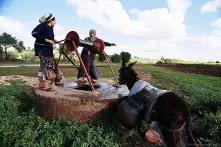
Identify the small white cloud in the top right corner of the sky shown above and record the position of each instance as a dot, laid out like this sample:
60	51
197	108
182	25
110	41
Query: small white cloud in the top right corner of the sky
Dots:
211	6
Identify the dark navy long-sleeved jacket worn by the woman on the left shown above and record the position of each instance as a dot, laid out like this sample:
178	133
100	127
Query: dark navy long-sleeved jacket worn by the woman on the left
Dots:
42	32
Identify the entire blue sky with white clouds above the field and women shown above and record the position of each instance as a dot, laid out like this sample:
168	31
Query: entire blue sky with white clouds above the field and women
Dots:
182	29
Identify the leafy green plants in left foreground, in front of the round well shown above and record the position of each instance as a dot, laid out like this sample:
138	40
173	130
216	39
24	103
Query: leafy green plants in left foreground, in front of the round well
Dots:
20	125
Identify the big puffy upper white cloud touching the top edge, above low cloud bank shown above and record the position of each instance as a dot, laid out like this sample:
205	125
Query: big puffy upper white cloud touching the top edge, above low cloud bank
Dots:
159	23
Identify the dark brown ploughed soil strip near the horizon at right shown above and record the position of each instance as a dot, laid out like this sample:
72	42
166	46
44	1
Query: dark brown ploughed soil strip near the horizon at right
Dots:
198	69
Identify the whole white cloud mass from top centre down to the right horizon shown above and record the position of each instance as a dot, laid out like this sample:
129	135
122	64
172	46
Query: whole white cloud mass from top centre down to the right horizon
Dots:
150	33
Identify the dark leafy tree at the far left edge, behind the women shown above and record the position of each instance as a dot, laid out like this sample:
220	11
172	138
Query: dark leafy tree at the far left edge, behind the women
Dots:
7	41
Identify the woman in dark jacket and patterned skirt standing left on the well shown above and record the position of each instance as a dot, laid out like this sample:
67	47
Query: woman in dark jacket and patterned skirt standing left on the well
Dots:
44	35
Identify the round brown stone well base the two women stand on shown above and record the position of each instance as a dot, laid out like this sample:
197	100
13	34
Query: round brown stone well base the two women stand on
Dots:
81	105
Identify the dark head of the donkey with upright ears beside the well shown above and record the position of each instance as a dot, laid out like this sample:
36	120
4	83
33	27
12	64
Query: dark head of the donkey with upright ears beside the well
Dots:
127	75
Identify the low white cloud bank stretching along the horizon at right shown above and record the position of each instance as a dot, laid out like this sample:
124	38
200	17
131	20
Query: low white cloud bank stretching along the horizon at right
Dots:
192	47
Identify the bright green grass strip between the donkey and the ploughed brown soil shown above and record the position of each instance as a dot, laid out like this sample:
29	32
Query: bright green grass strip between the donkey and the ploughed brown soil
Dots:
194	87
